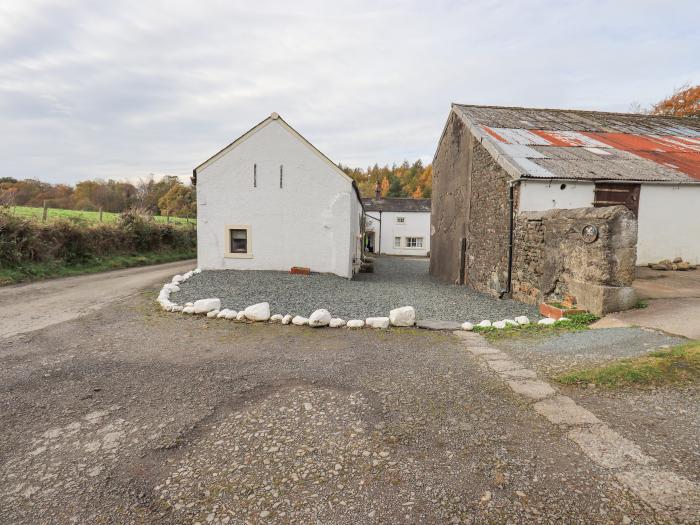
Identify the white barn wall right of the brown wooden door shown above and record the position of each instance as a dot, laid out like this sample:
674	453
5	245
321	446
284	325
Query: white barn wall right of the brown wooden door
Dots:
669	223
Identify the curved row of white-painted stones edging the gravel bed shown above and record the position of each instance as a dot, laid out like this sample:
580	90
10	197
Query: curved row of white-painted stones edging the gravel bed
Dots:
404	316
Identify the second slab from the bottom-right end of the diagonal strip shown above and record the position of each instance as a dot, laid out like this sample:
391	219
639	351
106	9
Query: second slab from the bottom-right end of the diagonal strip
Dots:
608	448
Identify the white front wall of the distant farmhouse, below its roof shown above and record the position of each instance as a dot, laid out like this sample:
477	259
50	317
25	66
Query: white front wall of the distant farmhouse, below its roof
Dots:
416	224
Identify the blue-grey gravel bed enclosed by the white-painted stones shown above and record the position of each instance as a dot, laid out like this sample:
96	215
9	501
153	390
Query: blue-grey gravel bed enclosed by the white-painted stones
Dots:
396	282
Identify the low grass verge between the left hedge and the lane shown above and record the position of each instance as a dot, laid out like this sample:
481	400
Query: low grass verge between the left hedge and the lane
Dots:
39	271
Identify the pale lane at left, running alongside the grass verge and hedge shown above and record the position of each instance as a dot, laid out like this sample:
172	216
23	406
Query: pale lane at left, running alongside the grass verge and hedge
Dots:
29	307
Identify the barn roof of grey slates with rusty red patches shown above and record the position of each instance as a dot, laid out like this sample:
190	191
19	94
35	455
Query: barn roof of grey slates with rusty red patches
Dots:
587	145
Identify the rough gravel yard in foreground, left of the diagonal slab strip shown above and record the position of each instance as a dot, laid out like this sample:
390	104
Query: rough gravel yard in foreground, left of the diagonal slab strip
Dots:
132	415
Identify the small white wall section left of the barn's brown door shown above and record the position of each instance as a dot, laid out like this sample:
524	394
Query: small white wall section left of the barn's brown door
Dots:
547	195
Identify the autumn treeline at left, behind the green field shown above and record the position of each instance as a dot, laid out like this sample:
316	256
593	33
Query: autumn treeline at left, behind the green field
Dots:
167	195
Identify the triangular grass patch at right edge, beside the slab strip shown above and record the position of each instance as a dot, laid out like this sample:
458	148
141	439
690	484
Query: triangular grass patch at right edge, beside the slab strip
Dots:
680	364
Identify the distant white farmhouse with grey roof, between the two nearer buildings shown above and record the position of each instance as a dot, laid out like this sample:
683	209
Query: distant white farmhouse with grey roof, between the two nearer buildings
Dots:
397	226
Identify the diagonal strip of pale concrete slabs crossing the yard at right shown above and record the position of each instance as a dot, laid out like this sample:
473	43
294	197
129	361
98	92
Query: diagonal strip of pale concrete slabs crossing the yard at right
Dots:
666	492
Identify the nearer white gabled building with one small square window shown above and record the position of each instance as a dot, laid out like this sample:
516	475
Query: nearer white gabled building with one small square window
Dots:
271	201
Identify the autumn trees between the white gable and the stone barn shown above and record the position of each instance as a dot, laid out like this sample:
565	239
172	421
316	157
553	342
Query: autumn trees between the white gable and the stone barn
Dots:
405	180
